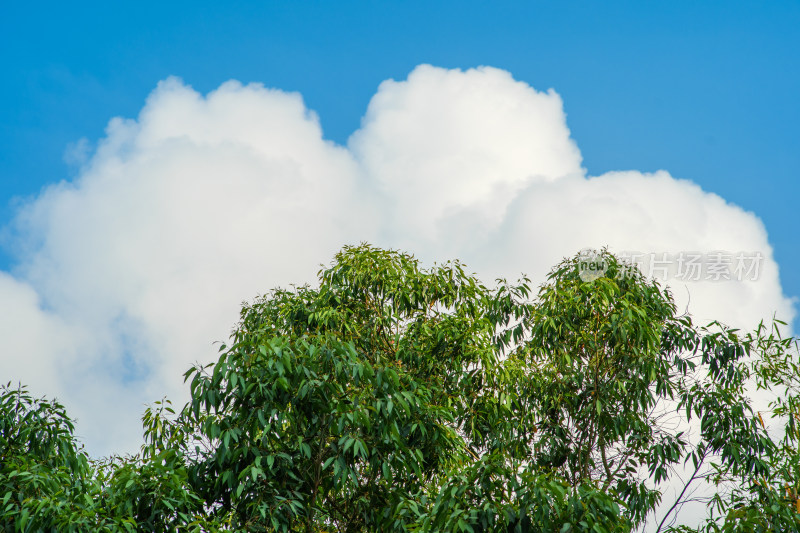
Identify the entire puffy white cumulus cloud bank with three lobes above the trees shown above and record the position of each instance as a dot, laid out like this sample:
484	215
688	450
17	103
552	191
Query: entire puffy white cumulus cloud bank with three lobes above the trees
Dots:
128	273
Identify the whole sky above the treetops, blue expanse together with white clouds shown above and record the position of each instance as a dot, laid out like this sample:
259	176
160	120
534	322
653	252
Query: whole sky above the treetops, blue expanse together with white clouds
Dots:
707	91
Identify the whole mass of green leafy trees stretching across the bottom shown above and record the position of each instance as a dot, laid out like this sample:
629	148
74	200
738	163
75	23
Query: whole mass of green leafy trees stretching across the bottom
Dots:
398	398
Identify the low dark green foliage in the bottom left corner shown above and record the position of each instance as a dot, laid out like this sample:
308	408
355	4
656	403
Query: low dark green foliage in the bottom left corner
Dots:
47	483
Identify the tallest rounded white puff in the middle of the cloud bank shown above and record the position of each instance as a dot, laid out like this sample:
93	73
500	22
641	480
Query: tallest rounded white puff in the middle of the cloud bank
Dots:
448	149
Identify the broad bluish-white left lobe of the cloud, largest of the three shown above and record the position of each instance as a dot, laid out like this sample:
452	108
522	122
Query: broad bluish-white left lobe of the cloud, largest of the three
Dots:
179	216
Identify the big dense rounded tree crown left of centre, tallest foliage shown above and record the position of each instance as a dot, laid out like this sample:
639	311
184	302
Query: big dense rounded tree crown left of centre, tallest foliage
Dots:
335	408
